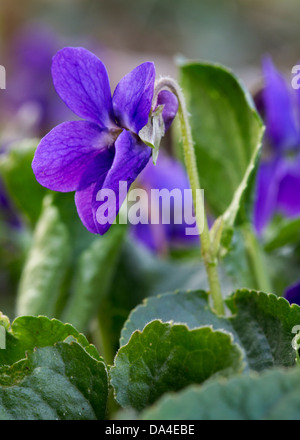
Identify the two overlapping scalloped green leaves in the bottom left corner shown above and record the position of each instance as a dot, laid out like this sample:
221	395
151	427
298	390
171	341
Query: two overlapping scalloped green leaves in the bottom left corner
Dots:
49	371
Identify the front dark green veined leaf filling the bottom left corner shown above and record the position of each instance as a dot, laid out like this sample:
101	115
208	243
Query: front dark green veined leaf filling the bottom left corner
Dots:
52	383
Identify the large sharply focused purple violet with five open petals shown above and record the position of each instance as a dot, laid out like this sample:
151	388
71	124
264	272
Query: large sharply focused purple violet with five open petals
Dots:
96	153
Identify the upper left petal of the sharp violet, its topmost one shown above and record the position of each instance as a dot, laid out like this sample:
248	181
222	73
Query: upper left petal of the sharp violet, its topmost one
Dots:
81	80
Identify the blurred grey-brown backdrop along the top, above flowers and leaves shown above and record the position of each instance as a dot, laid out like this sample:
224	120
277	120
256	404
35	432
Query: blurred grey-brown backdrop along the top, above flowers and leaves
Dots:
236	32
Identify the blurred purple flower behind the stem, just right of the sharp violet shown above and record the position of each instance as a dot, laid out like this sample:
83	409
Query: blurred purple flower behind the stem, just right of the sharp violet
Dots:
167	174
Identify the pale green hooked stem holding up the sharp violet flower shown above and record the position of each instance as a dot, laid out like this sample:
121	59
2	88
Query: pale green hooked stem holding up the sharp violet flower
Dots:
210	260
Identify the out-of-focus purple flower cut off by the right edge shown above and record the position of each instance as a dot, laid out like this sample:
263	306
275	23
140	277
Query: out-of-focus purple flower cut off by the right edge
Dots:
278	180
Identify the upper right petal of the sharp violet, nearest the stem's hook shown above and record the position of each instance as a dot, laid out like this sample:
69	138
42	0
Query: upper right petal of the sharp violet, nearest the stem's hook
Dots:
132	98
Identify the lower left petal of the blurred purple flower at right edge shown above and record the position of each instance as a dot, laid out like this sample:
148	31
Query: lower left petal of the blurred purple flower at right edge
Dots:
266	193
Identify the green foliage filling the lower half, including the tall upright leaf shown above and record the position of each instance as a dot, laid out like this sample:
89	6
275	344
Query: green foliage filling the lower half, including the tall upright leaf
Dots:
176	355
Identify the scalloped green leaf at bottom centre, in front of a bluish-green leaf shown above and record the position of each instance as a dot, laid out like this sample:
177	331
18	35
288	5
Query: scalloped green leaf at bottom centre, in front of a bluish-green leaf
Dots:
166	357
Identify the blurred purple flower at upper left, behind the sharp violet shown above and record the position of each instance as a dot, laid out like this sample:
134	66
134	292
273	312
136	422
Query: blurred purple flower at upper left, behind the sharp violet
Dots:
30	98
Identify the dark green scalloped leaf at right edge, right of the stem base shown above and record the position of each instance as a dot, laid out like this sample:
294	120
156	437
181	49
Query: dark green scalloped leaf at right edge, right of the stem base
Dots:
264	324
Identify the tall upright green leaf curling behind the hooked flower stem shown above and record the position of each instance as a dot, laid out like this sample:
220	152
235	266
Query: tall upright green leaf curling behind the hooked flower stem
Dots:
228	133
